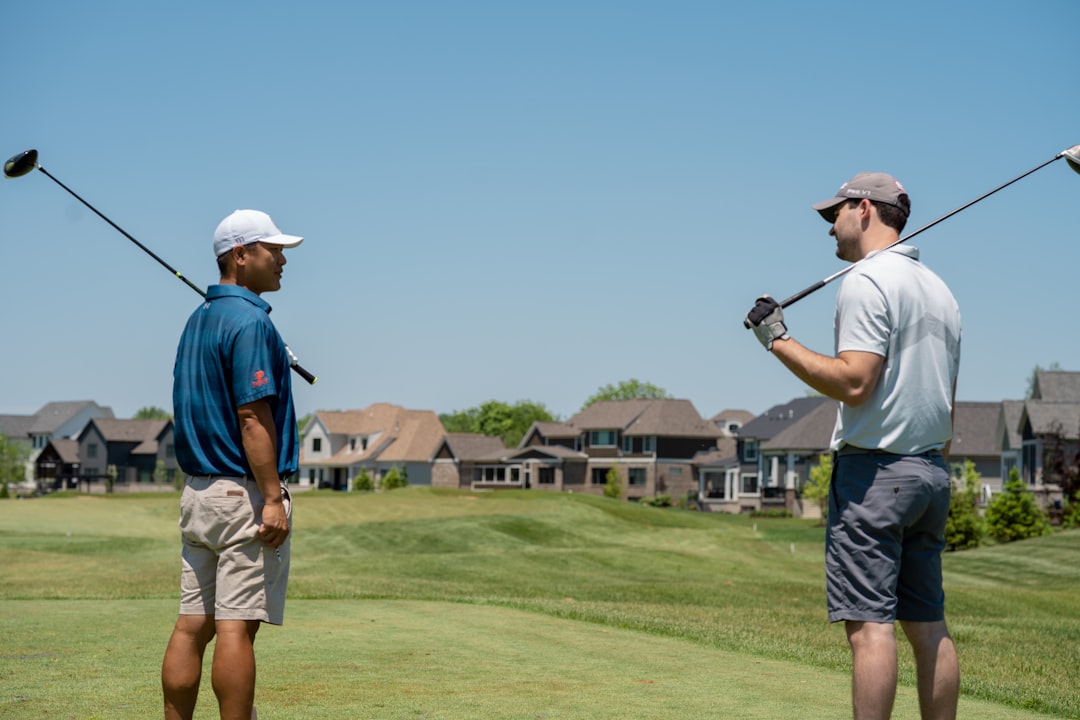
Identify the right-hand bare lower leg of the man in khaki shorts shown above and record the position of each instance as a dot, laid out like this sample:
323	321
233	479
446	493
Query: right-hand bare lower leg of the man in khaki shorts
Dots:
234	669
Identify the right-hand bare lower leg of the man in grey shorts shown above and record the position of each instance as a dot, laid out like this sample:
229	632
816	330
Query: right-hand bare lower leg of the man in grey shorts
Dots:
938	668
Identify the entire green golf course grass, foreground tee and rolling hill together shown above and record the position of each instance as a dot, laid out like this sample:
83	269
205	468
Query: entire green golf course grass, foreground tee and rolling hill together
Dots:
423	604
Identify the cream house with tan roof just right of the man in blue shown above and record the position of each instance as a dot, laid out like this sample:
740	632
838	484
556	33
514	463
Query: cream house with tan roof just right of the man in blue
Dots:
339	445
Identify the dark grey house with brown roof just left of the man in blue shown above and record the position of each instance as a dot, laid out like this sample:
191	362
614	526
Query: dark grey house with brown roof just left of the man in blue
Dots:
127	452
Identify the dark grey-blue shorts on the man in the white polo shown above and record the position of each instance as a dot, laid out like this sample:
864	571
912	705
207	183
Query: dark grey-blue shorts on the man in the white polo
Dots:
887	518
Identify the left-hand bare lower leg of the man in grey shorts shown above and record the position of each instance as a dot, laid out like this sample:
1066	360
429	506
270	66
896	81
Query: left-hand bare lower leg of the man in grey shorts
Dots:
874	670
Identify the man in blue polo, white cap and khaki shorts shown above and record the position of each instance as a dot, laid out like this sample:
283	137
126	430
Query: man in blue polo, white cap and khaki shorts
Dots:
237	441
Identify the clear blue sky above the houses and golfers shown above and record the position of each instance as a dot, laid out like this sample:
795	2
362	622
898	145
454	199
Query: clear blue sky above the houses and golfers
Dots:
525	201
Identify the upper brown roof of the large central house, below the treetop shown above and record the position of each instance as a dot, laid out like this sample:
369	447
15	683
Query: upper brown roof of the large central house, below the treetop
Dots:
664	418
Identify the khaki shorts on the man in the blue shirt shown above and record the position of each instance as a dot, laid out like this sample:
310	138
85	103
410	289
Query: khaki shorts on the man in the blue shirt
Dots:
228	572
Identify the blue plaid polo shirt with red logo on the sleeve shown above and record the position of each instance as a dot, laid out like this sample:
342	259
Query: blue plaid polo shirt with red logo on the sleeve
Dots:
231	355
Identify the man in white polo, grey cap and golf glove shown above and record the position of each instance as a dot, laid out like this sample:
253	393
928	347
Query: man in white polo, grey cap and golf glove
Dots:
898	355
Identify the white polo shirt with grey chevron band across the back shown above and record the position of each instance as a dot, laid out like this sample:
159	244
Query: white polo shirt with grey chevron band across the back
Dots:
894	306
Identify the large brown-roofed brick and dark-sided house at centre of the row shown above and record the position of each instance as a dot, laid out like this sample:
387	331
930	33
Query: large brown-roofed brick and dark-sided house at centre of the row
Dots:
652	444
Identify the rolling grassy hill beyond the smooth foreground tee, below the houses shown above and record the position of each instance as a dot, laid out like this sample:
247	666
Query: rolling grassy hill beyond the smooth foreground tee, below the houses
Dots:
749	587
